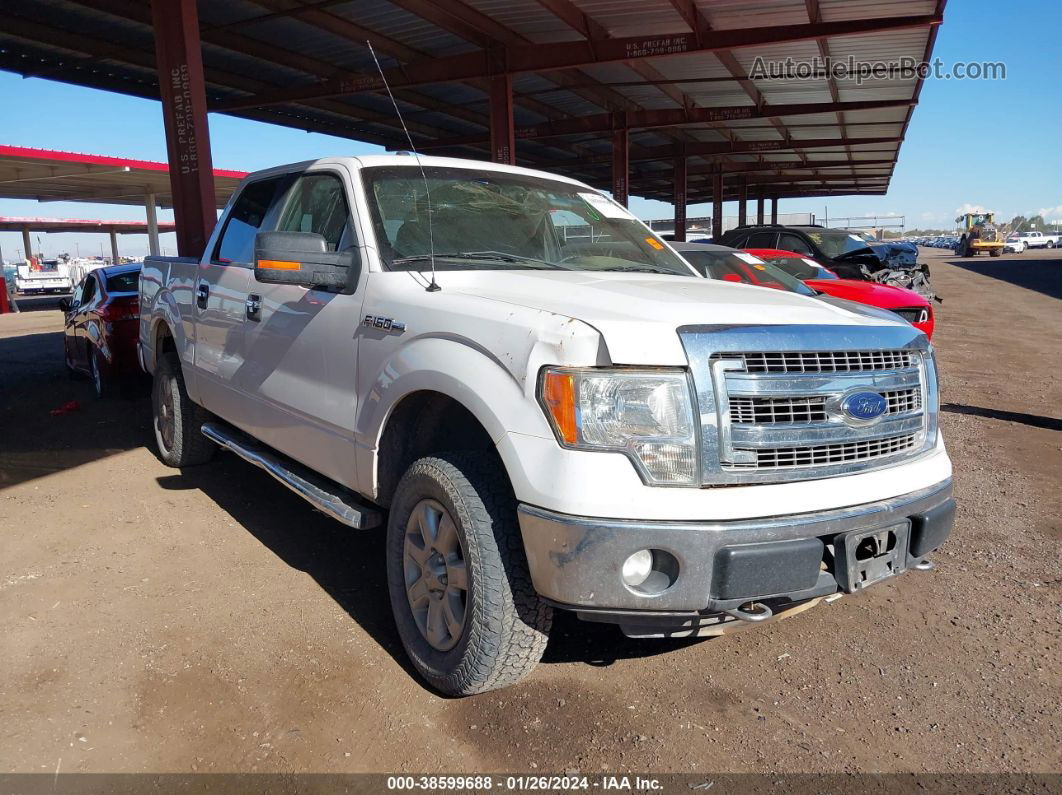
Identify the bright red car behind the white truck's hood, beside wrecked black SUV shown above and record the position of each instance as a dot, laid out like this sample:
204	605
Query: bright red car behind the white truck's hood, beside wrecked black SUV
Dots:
914	308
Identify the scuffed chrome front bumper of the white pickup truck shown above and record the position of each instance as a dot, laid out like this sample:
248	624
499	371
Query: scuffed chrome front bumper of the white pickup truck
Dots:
576	562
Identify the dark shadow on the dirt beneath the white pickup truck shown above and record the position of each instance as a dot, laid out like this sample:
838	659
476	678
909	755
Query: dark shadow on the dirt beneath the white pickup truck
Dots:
349	565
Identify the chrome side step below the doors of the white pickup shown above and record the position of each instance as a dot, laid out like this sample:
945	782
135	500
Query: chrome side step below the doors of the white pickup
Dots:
326	496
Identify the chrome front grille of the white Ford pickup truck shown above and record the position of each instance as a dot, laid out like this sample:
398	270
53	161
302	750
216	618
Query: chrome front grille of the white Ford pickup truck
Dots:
773	400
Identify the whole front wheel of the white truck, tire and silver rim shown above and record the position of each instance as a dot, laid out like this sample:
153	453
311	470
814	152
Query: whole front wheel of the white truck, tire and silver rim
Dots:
461	595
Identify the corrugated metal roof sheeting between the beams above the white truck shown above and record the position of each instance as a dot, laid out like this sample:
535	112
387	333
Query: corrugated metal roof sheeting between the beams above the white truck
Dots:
252	48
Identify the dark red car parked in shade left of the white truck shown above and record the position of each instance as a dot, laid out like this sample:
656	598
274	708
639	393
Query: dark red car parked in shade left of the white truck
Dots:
102	323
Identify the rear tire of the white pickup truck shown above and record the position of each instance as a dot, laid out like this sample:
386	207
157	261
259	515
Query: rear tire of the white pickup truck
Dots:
189	446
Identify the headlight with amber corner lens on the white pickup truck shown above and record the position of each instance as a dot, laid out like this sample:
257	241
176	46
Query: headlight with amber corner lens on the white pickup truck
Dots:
646	414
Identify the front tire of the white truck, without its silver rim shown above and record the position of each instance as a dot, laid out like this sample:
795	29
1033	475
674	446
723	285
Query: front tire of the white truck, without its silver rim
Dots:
506	624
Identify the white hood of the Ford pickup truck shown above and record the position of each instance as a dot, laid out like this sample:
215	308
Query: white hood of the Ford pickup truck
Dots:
638	315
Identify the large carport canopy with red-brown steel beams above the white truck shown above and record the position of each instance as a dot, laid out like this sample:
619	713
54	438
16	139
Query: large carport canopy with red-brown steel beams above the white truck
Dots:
647	97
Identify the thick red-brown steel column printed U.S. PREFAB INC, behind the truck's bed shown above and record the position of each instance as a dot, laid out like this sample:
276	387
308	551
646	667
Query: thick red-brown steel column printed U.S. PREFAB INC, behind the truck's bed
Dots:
180	64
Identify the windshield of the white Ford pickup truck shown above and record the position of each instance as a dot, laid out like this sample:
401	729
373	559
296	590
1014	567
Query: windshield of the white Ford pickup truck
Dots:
493	220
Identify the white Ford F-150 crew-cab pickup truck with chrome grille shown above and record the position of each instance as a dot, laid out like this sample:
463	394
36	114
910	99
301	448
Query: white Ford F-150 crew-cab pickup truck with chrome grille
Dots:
543	422
